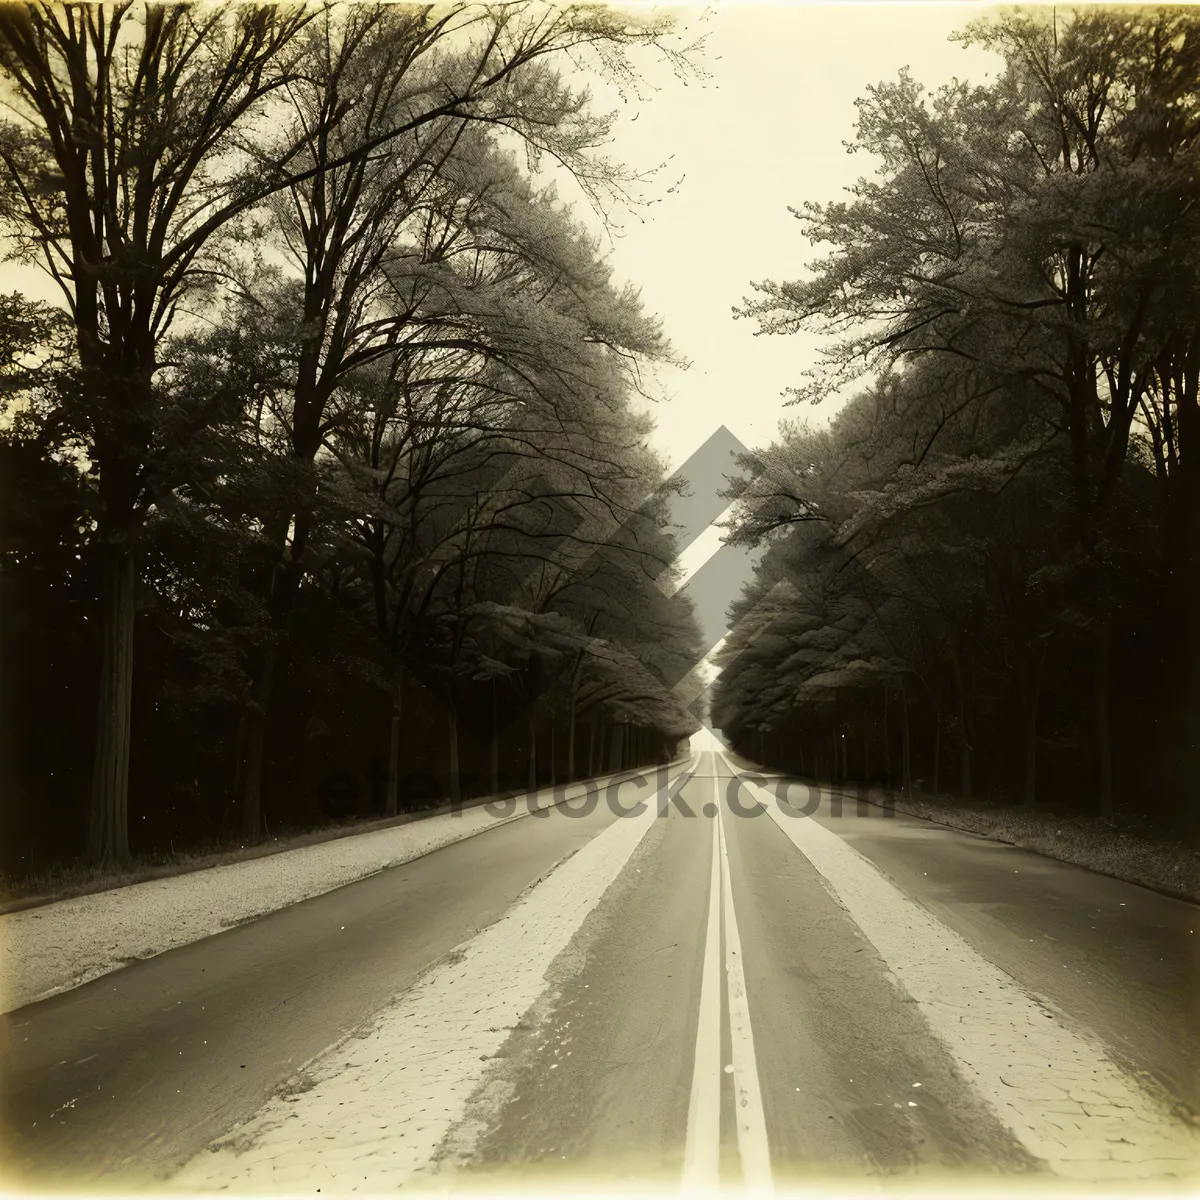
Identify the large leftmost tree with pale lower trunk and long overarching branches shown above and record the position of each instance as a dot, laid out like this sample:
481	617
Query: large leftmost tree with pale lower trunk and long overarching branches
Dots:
140	136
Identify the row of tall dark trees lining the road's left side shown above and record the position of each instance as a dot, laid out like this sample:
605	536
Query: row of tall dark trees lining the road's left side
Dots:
331	458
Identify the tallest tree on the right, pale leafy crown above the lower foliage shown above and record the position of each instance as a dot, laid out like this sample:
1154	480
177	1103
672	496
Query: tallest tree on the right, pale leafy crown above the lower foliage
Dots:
1039	237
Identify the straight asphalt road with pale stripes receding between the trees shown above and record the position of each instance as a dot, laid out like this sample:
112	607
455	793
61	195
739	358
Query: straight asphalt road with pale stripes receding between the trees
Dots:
716	991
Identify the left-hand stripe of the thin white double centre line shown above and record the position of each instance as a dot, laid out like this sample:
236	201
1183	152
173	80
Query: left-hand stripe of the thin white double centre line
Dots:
701	1160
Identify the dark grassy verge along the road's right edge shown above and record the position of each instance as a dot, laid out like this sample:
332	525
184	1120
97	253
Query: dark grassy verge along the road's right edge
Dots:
1125	848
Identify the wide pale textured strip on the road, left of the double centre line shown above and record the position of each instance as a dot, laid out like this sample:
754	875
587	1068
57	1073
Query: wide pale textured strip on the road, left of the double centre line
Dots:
382	1101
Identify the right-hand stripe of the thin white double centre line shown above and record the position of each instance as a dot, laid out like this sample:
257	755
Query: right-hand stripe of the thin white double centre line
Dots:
752	1125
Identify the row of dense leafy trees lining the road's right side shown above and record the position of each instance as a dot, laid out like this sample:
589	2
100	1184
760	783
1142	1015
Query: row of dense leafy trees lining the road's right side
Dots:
983	574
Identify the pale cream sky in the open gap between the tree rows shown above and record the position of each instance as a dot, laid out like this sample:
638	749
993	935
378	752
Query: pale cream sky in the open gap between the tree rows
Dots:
765	133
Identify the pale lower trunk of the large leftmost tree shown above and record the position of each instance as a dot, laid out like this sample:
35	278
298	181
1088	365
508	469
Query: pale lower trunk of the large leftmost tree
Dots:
109	832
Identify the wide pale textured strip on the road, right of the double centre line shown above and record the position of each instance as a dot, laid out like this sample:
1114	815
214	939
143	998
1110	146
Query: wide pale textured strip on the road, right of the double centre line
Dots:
1053	1087
